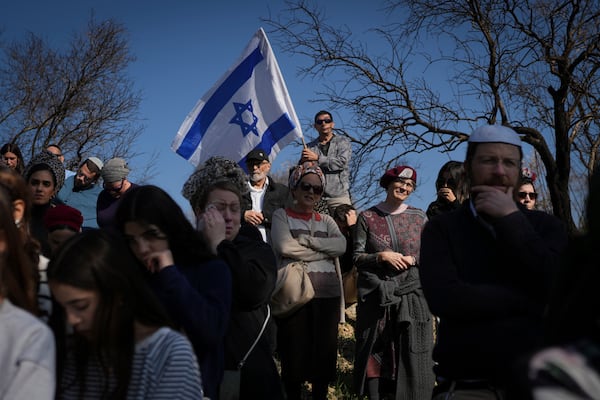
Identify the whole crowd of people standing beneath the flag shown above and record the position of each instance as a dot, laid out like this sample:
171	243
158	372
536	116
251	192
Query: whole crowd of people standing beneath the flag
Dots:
108	290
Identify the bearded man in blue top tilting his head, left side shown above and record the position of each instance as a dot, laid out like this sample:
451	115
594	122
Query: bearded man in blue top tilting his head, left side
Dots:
81	191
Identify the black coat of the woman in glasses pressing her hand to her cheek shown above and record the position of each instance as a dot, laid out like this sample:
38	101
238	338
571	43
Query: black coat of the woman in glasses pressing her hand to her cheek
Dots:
254	272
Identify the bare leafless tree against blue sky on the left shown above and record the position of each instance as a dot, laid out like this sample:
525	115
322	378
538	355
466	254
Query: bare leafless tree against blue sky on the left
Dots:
78	97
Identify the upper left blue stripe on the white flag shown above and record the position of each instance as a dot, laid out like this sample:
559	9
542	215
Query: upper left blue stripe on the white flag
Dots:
217	102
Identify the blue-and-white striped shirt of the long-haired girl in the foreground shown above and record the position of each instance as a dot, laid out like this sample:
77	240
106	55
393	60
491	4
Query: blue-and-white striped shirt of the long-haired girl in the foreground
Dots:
164	367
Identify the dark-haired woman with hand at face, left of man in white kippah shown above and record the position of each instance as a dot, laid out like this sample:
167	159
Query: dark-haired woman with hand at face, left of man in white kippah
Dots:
449	187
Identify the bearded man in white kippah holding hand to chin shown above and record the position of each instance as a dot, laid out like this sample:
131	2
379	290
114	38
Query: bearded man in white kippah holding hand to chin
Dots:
486	271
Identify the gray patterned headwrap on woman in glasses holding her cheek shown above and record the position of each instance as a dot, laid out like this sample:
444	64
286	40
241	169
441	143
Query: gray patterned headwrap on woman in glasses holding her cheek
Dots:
214	170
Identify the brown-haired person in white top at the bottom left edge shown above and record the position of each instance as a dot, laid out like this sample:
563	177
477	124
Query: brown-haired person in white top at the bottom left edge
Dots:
27	347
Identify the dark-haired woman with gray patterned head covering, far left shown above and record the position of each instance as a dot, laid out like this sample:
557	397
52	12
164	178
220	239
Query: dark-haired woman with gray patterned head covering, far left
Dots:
45	176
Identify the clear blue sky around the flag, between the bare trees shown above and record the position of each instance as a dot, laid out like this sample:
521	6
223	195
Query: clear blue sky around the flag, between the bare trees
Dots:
182	49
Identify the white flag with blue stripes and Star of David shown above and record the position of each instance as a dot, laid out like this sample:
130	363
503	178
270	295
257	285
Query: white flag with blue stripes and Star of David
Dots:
248	108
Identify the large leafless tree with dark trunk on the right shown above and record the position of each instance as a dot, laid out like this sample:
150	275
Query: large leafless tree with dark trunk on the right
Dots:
528	64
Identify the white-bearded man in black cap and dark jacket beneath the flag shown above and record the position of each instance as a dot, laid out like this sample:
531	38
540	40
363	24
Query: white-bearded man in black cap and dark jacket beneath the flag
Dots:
265	195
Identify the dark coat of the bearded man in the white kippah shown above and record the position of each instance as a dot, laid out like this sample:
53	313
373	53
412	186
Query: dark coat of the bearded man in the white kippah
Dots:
489	287
